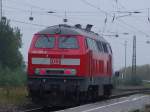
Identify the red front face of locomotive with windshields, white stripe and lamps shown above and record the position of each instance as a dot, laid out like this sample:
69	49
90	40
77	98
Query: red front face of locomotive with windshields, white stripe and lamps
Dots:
55	55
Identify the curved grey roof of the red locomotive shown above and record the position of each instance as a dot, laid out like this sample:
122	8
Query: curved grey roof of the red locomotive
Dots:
70	30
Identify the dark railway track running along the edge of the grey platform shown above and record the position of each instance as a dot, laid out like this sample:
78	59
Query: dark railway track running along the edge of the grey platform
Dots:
115	96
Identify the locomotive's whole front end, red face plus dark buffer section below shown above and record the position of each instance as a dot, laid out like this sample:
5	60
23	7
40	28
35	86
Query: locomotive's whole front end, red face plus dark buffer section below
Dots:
55	63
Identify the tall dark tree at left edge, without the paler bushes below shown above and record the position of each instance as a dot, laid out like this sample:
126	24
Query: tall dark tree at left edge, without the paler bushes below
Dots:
10	43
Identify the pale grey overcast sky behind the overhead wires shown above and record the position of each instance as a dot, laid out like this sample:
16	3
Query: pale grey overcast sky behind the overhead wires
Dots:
109	17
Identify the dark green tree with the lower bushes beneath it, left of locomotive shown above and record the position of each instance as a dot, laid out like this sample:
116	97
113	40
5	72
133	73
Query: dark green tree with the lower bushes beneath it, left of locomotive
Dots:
11	61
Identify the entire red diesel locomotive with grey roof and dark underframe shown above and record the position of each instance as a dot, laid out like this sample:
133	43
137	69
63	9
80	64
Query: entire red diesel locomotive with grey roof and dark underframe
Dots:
69	61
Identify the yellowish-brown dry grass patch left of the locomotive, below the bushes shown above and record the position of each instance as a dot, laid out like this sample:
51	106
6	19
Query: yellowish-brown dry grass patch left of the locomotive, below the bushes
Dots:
13	96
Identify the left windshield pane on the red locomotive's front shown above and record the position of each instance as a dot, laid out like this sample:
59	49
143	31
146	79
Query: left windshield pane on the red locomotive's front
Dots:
45	42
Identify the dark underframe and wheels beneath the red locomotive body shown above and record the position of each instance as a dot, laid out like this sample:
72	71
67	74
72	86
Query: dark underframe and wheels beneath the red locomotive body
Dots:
55	86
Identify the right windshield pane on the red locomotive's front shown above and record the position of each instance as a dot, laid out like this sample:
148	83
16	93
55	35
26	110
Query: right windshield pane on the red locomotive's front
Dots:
68	42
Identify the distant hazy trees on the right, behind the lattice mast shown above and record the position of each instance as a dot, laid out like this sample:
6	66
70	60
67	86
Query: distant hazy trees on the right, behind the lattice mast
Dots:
127	78
